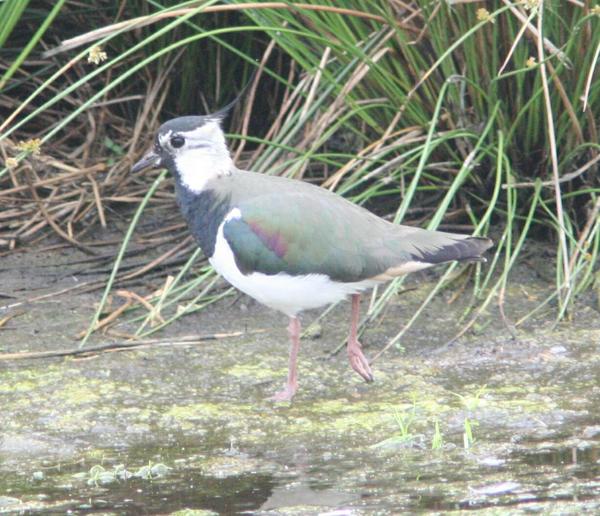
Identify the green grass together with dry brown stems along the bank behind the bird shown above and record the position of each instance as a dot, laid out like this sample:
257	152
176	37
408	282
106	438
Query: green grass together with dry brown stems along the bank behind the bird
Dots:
448	115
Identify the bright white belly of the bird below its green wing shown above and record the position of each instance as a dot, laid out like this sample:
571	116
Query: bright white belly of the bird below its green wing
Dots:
284	292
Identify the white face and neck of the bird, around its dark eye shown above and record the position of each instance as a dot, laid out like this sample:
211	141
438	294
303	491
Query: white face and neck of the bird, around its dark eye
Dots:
200	155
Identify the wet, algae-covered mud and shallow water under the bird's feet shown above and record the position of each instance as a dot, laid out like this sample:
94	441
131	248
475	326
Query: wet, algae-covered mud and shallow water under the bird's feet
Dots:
187	428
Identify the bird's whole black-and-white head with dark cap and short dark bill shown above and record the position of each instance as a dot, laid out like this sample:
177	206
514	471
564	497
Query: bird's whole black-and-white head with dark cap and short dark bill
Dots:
193	148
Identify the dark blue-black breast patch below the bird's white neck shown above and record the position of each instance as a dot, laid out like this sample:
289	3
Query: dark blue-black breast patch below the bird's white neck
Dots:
204	213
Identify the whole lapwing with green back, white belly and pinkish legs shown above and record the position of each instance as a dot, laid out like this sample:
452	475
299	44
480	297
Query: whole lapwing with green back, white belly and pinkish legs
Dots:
289	244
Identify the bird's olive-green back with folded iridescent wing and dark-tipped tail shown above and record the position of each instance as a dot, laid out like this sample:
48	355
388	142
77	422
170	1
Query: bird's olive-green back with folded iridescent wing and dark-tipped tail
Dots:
322	232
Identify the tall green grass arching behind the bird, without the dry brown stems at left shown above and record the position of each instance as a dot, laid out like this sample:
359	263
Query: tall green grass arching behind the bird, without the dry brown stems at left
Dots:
443	114
